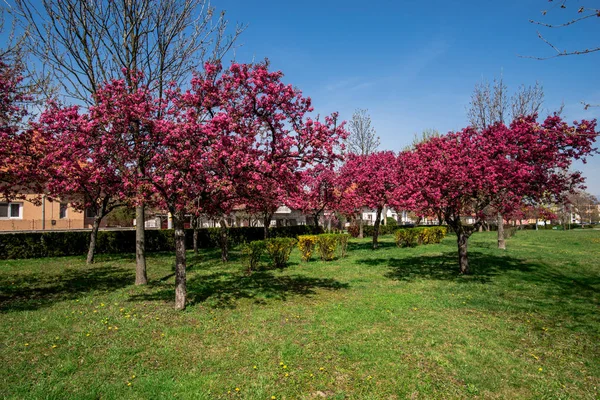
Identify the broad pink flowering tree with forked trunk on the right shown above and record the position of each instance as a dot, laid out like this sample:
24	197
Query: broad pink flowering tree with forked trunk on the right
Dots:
462	173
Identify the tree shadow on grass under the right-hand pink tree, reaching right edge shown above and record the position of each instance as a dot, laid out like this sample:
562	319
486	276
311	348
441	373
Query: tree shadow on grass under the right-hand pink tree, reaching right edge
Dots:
557	294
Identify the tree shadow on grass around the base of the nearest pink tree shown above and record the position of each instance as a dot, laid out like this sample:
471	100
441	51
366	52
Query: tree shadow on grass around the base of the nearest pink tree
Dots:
223	289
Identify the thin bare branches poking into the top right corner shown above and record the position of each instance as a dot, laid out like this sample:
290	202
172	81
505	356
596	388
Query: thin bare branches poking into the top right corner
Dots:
582	13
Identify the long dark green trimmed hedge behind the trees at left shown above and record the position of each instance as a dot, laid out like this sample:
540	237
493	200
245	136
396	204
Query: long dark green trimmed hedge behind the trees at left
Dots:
57	244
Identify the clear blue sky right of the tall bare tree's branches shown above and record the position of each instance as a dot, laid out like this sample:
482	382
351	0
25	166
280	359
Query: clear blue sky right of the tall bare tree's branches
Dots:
413	64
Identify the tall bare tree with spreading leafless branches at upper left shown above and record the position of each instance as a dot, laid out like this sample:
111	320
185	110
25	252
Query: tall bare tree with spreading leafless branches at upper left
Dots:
85	43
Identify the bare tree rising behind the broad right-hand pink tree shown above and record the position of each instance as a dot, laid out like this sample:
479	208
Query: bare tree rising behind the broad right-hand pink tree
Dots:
491	104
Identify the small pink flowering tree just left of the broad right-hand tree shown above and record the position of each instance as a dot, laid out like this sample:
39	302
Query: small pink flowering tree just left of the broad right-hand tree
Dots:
370	181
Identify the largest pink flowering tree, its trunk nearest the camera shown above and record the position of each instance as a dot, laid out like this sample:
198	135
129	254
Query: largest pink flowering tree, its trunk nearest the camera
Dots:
214	145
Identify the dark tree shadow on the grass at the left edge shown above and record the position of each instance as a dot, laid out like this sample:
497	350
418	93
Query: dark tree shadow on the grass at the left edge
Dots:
33	291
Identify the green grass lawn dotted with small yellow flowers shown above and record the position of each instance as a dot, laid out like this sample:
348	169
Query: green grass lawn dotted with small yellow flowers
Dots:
386	324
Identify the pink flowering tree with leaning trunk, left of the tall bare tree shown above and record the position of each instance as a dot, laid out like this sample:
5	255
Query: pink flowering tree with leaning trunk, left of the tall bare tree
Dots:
77	166
